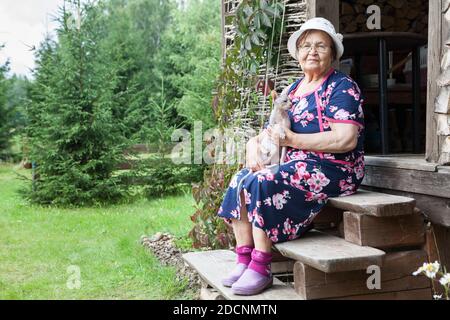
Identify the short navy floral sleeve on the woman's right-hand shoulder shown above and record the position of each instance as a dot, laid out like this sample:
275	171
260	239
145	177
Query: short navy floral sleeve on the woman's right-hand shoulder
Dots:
345	104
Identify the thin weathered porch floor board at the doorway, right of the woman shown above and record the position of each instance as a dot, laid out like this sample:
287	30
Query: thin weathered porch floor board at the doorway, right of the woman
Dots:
414	163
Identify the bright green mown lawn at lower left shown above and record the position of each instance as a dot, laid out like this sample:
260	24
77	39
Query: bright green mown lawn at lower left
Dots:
38	244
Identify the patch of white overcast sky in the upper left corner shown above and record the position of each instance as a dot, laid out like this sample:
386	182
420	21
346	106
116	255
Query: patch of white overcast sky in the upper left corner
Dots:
23	24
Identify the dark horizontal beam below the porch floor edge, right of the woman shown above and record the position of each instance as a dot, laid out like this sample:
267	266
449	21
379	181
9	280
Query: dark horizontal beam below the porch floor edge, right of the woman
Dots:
423	182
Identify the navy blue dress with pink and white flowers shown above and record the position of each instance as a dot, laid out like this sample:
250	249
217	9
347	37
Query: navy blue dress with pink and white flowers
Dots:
285	202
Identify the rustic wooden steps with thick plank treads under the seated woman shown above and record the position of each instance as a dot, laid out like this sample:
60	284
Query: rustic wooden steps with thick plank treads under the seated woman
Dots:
351	234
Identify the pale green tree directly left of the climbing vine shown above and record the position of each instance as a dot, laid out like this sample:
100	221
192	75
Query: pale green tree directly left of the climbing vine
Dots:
189	59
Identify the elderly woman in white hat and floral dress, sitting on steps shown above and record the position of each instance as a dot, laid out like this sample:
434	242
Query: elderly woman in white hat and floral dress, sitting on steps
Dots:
325	158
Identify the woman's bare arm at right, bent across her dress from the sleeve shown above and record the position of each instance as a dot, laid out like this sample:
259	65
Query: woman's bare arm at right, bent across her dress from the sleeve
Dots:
342	138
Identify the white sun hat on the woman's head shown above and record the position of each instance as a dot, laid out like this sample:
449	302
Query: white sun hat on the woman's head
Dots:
321	24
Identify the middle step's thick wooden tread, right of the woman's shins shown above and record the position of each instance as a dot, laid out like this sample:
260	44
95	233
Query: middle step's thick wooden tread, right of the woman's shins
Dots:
330	254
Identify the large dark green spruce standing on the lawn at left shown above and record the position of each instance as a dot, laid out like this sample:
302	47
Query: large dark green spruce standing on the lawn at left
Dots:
76	141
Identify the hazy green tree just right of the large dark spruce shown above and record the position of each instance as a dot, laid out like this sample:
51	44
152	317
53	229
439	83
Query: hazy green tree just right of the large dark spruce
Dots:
135	29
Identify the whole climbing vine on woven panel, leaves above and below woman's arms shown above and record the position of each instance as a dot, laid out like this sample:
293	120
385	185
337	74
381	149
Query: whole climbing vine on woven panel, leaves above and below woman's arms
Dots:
258	25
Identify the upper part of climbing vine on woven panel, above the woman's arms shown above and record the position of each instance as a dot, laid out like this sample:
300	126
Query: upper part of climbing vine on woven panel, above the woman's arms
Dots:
258	26
